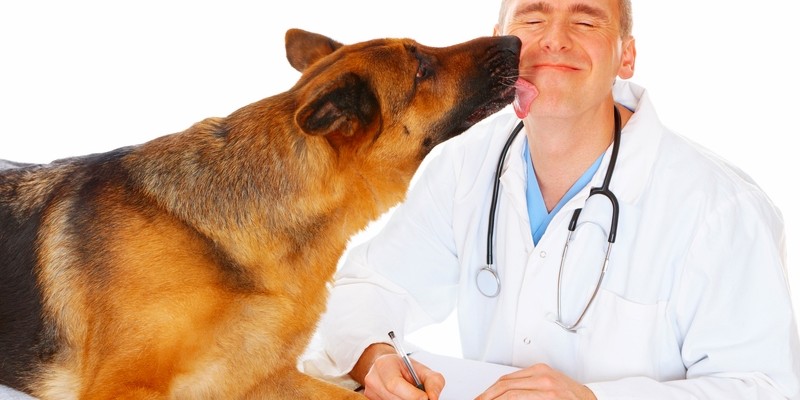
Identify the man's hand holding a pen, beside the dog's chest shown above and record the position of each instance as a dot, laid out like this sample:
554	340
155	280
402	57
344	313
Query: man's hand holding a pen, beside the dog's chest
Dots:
388	378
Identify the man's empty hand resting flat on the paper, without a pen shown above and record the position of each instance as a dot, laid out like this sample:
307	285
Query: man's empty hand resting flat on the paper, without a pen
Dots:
539	382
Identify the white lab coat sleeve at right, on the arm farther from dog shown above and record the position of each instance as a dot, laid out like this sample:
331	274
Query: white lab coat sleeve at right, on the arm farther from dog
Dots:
732	309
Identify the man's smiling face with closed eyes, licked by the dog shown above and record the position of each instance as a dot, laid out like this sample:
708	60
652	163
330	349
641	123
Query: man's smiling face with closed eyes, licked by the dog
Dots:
571	50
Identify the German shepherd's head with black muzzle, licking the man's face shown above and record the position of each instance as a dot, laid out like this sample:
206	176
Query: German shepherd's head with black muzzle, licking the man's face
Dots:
396	96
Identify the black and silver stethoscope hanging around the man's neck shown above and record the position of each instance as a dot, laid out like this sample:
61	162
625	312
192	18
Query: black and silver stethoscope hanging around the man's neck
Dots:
488	279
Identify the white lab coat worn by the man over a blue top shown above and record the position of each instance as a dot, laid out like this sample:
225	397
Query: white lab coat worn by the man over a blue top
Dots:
695	303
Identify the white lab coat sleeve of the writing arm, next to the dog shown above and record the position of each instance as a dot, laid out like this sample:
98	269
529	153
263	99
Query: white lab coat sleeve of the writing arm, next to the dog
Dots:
403	278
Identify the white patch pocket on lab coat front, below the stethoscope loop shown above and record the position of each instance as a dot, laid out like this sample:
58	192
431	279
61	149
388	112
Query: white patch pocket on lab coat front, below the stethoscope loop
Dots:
621	338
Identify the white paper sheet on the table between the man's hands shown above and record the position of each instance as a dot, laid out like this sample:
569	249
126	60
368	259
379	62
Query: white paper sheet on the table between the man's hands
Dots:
464	379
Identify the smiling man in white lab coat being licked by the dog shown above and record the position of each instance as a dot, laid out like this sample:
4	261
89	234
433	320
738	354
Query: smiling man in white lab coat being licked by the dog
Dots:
694	302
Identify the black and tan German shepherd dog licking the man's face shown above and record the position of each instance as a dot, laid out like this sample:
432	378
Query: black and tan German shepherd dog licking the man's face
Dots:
196	265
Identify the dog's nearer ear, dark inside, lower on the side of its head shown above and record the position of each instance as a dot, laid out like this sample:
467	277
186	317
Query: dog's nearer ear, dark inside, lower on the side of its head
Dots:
346	106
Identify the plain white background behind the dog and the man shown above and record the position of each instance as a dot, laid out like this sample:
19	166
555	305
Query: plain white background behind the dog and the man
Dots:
82	76
